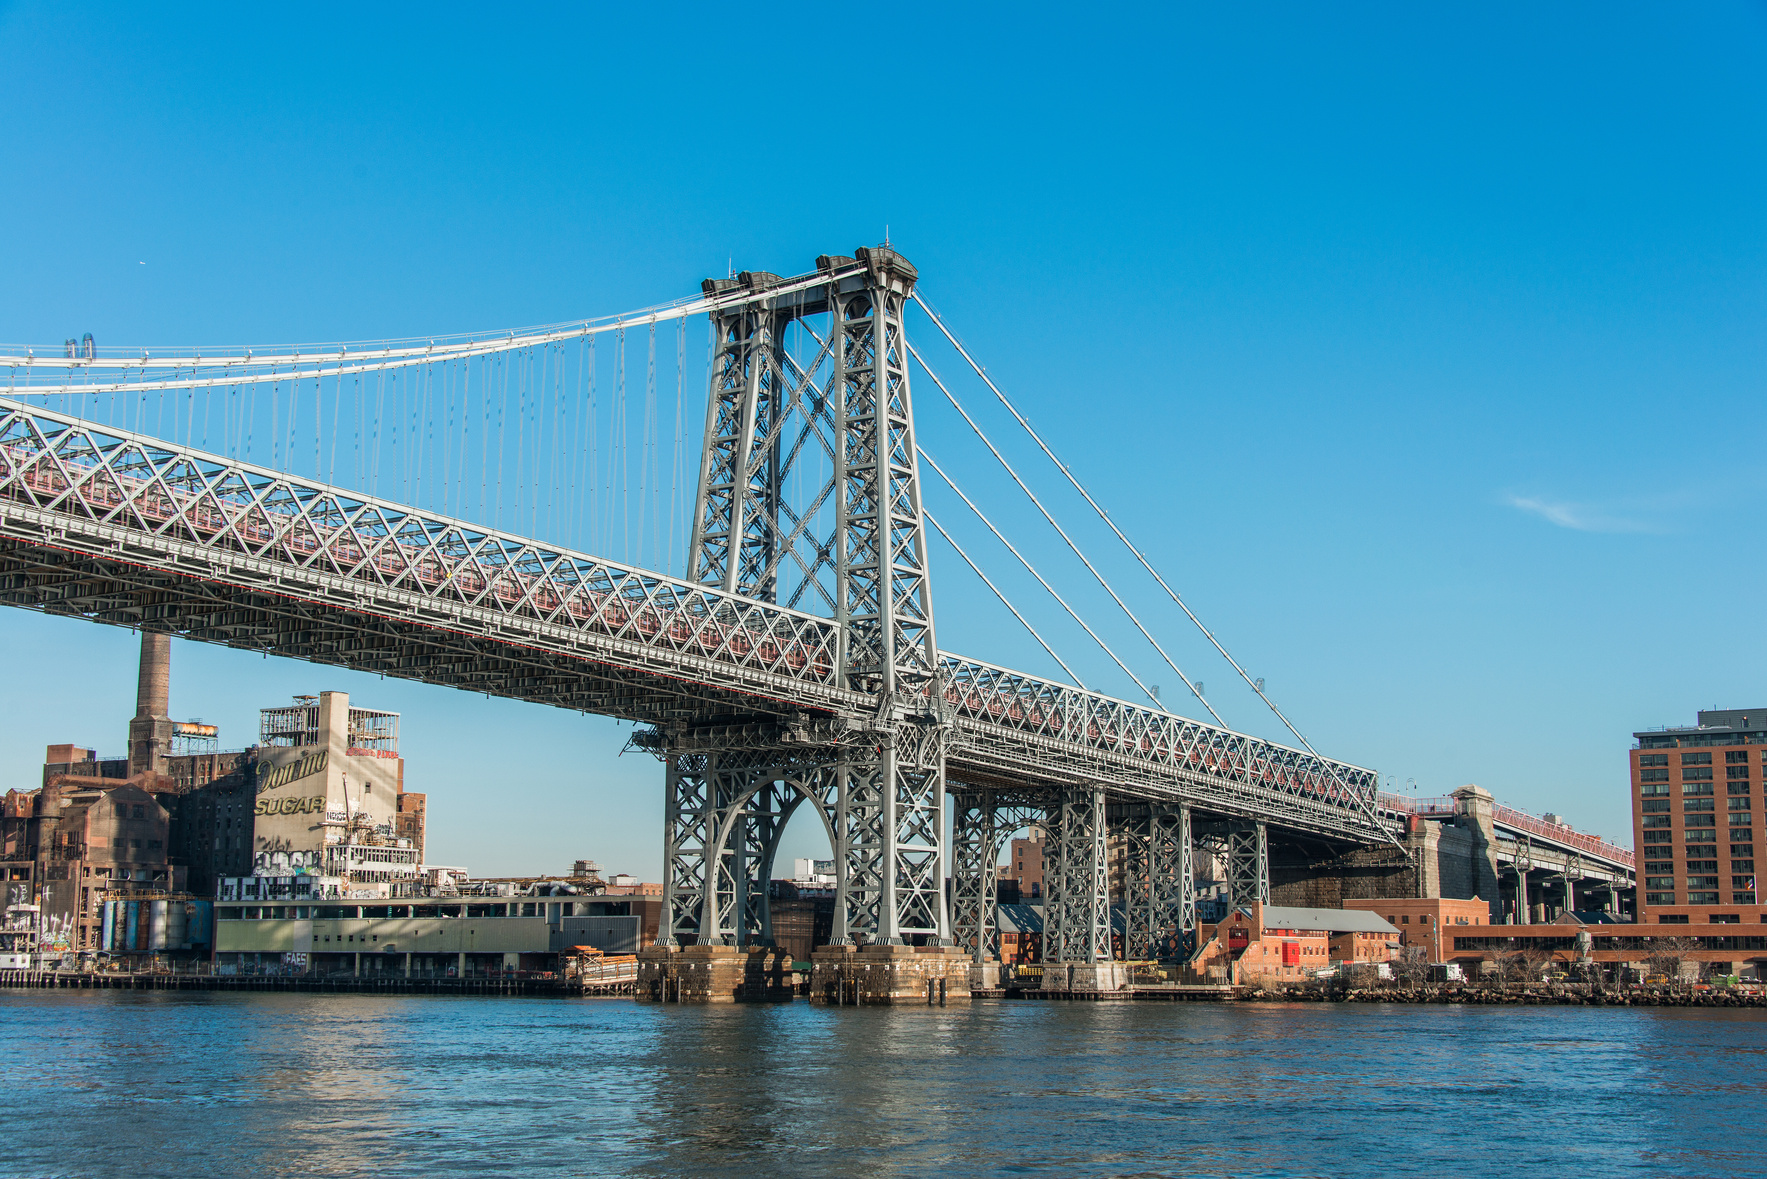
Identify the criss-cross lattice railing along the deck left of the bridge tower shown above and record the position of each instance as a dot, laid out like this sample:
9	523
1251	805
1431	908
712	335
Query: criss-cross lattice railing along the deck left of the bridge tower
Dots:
105	476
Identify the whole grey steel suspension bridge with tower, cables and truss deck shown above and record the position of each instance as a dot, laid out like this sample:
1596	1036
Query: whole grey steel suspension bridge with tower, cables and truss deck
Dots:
379	506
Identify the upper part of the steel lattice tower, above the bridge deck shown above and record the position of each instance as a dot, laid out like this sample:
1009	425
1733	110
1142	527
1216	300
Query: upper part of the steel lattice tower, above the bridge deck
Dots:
854	538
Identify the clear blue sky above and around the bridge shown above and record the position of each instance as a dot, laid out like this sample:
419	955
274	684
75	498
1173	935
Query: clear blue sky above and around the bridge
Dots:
1420	349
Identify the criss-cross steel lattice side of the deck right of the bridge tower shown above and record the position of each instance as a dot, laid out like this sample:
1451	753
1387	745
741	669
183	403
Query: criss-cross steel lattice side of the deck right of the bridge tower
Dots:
1063	713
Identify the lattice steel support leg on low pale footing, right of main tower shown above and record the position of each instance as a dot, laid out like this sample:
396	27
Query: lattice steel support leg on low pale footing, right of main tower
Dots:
1077	886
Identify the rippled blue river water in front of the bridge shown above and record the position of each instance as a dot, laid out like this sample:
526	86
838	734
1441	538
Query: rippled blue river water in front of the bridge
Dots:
284	1084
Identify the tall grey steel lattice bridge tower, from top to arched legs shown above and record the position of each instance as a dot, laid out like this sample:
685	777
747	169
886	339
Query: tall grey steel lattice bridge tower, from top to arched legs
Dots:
810	498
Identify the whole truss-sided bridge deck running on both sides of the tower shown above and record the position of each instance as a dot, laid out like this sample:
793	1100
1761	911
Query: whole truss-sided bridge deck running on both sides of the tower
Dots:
132	531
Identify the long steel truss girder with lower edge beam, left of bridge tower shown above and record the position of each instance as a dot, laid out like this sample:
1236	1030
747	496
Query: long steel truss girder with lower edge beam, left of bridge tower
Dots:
109	492
